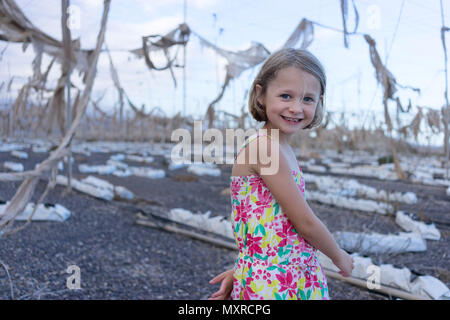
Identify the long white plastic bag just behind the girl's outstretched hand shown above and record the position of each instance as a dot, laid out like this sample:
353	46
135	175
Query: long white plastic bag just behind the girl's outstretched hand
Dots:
380	243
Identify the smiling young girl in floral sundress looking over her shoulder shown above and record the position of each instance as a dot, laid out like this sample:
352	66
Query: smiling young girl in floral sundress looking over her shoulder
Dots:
275	230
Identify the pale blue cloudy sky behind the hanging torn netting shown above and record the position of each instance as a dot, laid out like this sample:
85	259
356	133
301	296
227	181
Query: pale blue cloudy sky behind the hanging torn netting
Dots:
407	33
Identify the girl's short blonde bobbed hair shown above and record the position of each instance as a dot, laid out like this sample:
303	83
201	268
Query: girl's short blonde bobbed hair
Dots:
281	59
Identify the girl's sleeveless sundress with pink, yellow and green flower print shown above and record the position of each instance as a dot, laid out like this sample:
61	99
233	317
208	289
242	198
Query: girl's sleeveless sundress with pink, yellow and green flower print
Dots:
274	261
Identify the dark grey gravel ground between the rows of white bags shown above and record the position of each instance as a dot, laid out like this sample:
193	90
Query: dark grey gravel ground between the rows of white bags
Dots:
119	259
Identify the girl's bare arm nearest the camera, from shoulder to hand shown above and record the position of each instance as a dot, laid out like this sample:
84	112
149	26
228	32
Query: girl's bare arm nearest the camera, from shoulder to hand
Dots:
288	195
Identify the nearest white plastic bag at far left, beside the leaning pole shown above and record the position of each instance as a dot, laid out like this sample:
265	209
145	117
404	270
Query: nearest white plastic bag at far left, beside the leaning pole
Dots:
43	212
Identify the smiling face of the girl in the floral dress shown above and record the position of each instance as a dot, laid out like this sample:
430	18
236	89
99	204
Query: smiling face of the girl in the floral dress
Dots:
290	99
